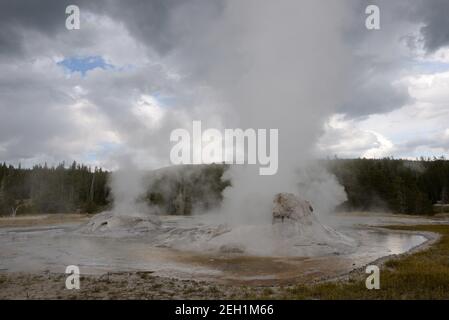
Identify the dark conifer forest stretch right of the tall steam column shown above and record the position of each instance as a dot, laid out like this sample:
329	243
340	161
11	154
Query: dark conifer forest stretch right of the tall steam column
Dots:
401	186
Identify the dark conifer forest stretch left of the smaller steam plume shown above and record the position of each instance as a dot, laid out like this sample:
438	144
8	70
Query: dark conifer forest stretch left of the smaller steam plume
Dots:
52	189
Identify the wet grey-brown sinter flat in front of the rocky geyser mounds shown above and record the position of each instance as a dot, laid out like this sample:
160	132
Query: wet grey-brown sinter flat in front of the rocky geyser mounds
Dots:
52	248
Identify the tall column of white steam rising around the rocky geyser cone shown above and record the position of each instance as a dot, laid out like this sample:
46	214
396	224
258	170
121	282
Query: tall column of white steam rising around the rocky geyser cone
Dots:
292	80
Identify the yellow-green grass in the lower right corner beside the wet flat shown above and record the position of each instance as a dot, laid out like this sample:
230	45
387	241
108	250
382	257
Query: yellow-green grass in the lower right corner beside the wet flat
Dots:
423	275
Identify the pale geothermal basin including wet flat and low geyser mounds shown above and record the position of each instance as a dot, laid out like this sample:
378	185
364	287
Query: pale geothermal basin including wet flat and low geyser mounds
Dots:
182	247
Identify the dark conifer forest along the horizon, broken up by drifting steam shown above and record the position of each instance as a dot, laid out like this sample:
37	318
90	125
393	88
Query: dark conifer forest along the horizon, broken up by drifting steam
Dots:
400	186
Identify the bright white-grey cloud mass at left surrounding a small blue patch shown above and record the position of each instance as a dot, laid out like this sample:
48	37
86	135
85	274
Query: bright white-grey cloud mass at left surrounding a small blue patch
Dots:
52	114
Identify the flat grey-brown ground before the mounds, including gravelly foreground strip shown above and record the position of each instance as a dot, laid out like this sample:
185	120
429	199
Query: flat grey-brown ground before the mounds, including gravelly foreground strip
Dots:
141	272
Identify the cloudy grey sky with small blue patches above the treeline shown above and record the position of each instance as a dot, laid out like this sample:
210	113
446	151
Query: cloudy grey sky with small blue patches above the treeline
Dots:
135	70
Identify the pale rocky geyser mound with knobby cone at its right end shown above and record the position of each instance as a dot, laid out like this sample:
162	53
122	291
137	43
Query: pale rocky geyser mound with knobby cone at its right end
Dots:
295	231
